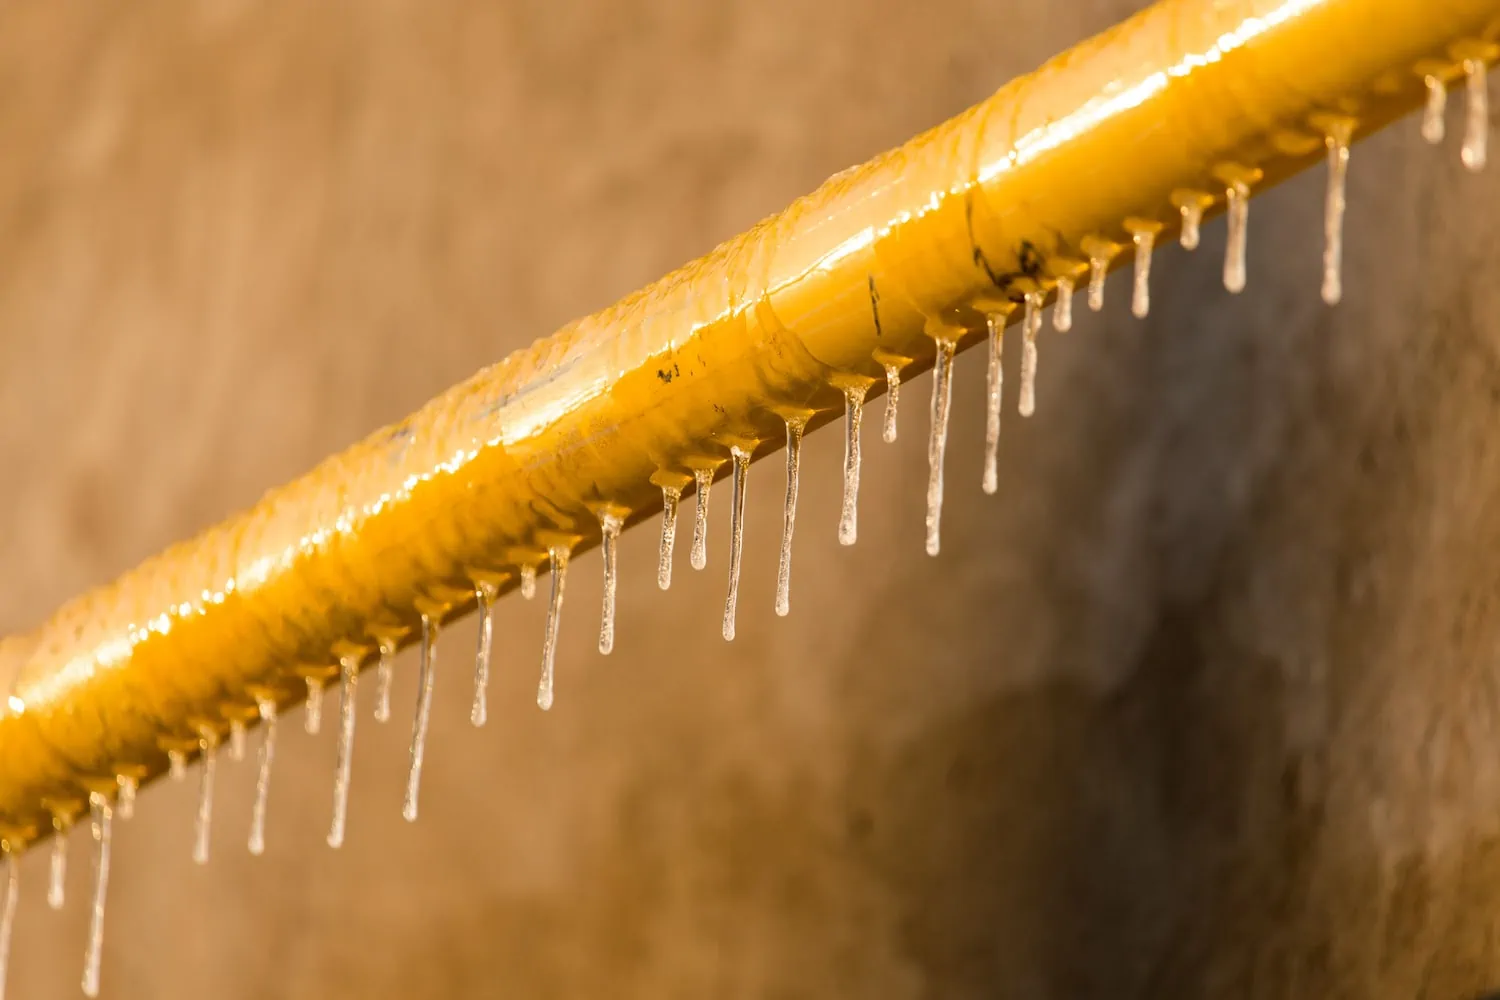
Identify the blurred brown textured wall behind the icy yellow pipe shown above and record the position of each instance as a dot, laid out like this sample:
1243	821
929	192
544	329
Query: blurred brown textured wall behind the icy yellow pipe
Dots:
1199	707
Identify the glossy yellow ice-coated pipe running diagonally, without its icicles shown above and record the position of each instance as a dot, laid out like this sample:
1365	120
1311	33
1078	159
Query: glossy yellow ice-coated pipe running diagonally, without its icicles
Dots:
922	244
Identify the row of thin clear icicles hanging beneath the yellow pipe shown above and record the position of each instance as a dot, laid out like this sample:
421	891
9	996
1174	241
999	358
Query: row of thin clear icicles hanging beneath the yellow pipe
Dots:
1144	238
